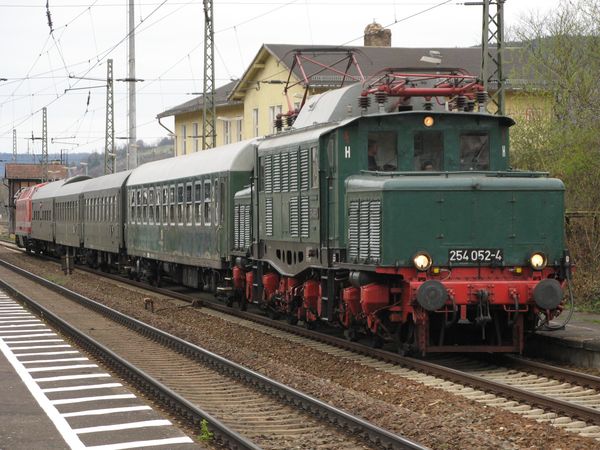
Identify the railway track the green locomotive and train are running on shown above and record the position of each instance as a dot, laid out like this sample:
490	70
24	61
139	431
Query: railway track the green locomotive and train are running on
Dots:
563	398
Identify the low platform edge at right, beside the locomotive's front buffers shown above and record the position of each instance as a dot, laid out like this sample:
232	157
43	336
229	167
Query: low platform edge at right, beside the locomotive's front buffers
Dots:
578	343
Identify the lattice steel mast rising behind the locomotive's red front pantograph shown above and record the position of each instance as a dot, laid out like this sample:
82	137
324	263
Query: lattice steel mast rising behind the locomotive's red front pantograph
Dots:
492	37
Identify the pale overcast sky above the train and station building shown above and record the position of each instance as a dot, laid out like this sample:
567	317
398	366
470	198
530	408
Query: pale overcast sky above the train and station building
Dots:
39	66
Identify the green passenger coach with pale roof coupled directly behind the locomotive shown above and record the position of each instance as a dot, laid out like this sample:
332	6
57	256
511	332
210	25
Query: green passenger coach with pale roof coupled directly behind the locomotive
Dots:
179	213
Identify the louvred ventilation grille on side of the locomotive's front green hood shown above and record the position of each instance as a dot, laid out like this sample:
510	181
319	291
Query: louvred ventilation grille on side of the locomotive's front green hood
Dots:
364	231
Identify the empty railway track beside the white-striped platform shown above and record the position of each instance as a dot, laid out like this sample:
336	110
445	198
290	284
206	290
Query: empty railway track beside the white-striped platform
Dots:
243	408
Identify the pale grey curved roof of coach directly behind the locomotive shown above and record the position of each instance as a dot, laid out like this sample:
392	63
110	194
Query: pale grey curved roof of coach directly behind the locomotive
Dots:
237	157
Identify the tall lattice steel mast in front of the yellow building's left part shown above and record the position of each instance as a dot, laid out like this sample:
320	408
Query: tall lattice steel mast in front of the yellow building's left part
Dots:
209	115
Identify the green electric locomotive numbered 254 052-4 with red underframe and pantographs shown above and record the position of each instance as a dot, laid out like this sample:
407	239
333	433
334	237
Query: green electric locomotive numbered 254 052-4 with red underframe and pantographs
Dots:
402	222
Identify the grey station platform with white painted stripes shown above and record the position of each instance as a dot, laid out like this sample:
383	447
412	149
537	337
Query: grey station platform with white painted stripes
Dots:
54	397
